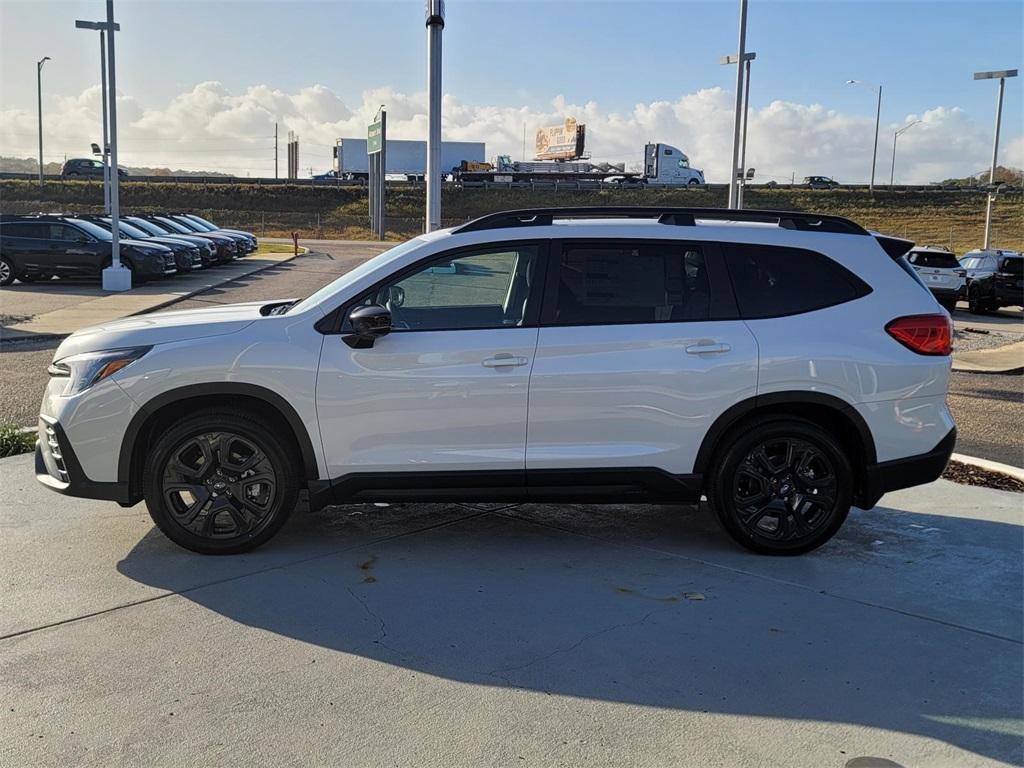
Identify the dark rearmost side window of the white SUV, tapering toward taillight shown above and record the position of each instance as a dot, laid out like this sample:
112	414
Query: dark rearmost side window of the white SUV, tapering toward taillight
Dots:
775	282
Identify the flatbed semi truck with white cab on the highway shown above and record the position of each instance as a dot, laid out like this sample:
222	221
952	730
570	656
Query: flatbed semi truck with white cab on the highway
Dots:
664	166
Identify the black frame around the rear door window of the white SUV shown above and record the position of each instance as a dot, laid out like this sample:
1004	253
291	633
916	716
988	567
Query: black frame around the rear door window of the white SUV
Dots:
721	306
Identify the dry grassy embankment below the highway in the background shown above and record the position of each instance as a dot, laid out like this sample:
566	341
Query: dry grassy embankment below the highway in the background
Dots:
952	219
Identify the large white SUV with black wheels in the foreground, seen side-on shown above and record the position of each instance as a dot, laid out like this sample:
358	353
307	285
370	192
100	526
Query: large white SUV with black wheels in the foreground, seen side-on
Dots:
785	365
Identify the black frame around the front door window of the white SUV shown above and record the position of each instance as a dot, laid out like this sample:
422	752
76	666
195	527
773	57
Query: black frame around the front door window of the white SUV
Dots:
333	324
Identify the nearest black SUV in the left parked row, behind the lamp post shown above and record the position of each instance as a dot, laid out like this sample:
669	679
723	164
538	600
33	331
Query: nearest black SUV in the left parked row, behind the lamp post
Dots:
40	247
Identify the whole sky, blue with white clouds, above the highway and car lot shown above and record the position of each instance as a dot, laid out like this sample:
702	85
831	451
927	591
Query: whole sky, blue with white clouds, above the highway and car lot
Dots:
201	84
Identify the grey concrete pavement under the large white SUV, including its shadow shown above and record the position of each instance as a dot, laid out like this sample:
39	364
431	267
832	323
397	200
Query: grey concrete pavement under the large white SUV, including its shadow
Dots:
449	635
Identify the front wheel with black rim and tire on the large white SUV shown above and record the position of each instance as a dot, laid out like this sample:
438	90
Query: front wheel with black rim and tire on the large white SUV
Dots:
236	504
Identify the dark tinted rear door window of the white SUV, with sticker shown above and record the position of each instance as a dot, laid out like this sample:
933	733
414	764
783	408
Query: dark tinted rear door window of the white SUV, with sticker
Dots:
627	283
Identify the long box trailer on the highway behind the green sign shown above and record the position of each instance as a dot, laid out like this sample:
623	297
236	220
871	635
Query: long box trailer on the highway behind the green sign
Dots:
404	158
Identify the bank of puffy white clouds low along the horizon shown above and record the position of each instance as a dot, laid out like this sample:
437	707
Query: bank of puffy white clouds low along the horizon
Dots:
209	127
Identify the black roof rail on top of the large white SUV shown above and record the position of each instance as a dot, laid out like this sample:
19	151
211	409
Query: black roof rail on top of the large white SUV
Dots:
665	216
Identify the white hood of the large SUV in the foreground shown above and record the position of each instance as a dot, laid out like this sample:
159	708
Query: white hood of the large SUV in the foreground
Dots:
161	328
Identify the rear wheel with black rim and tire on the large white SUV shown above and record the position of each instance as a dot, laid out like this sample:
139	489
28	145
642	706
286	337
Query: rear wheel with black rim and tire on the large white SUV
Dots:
796	499
